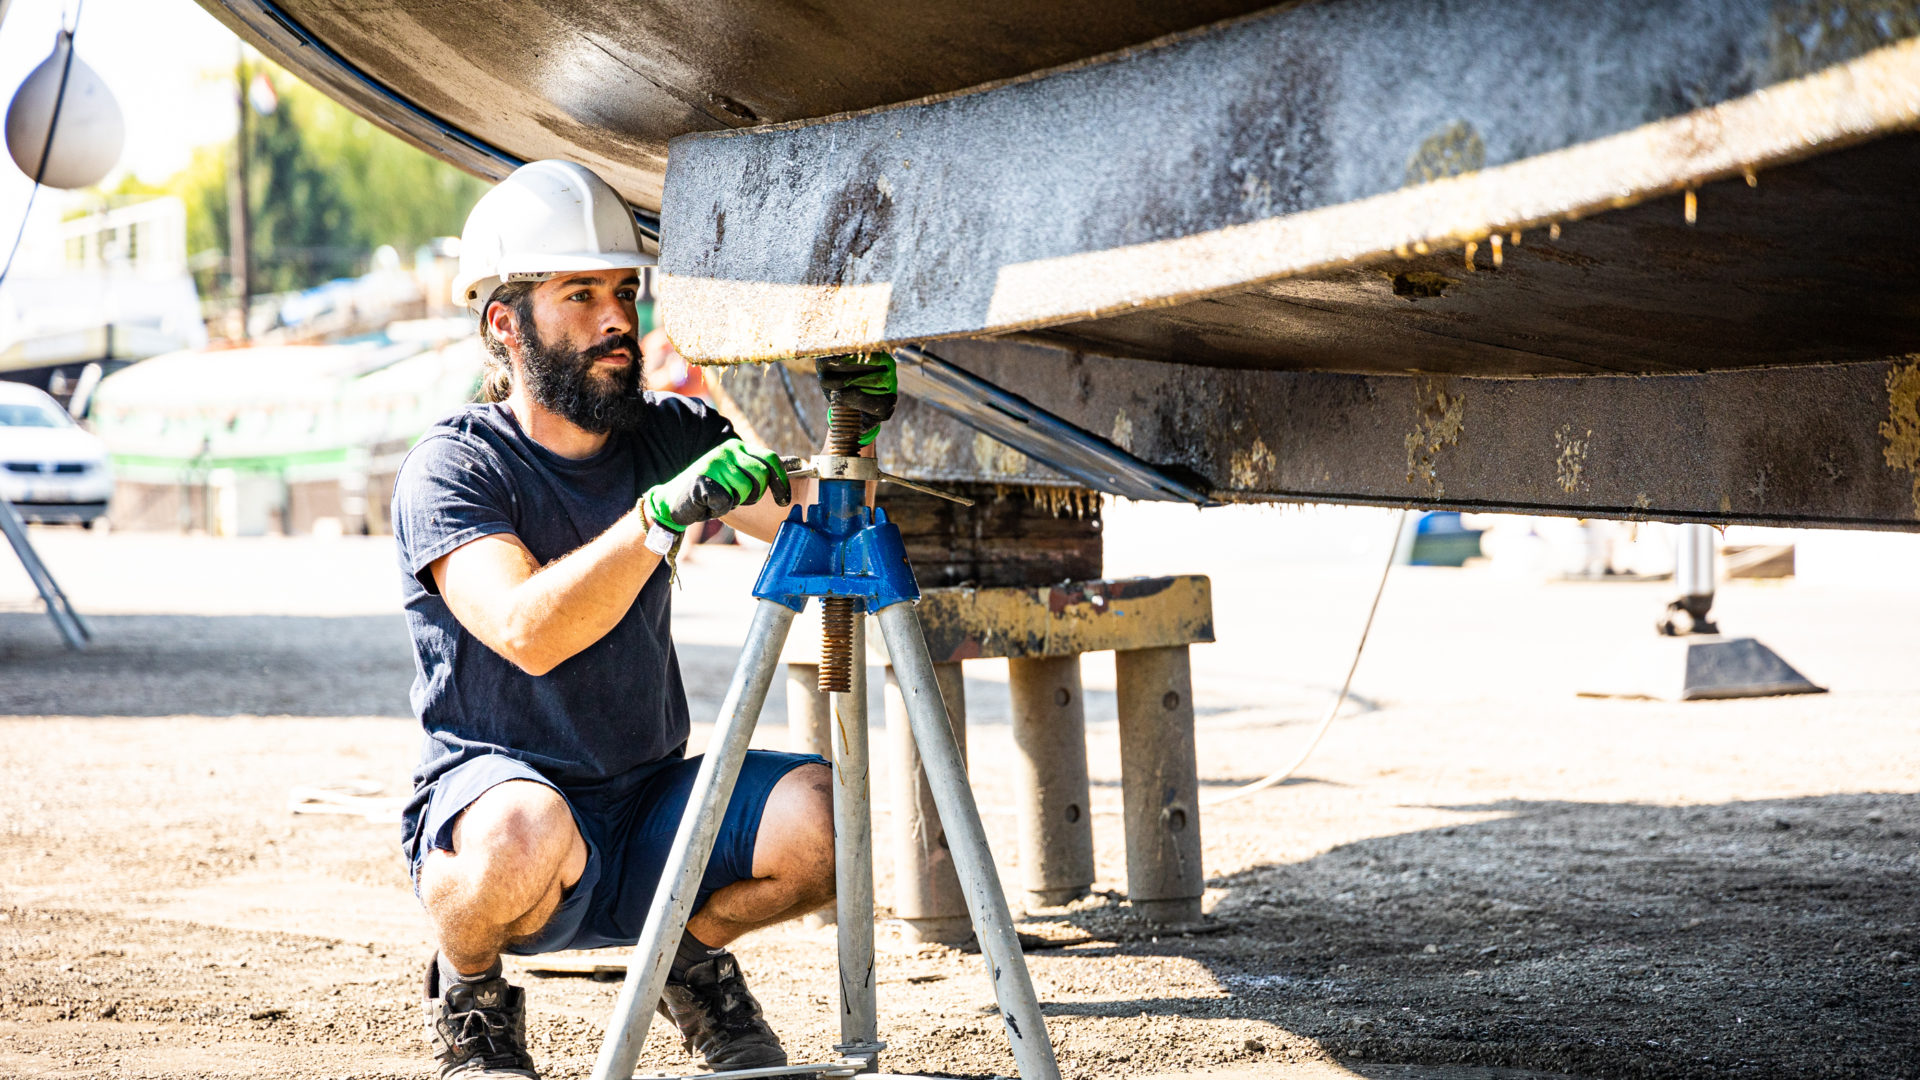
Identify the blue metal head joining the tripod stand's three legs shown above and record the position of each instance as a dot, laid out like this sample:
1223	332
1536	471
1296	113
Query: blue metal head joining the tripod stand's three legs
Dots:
838	547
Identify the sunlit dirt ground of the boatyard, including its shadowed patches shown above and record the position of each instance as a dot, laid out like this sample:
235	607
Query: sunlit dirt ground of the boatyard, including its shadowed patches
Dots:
1479	873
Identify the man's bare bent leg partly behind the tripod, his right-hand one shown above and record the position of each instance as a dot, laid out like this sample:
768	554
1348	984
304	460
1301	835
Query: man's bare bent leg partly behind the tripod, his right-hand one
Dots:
792	862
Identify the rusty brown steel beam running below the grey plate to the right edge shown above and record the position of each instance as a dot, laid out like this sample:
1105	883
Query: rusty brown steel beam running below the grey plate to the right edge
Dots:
1812	447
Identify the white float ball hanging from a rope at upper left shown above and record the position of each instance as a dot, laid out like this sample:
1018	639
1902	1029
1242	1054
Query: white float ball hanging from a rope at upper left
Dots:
91	126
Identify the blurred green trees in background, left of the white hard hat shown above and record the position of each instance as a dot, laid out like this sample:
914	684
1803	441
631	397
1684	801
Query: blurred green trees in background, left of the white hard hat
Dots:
325	191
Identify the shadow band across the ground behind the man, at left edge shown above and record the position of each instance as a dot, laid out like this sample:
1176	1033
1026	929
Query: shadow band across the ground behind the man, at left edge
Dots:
212	666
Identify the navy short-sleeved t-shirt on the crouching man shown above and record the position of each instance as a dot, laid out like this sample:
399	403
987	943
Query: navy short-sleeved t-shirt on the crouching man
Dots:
617	704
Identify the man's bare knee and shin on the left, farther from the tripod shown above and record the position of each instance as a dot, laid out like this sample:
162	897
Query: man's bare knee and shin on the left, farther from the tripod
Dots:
516	852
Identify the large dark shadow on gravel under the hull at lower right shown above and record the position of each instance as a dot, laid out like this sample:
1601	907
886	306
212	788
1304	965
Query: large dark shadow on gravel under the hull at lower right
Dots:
1758	939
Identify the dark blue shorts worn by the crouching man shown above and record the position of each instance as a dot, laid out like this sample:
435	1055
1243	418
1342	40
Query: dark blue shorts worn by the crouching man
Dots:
629	825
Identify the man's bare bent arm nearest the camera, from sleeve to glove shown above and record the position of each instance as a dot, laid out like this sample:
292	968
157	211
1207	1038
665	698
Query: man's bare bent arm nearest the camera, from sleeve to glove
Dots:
540	616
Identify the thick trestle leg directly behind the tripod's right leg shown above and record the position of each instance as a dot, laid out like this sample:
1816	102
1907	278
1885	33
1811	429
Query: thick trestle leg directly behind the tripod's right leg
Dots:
926	891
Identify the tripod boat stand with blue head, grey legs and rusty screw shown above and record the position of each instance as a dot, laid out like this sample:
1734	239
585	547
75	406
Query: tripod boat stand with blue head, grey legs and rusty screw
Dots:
853	560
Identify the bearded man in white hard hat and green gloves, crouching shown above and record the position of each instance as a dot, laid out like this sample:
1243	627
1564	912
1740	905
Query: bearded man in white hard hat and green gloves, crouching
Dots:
531	531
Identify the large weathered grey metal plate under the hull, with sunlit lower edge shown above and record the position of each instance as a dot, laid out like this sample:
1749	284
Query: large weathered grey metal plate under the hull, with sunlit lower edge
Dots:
1209	201
